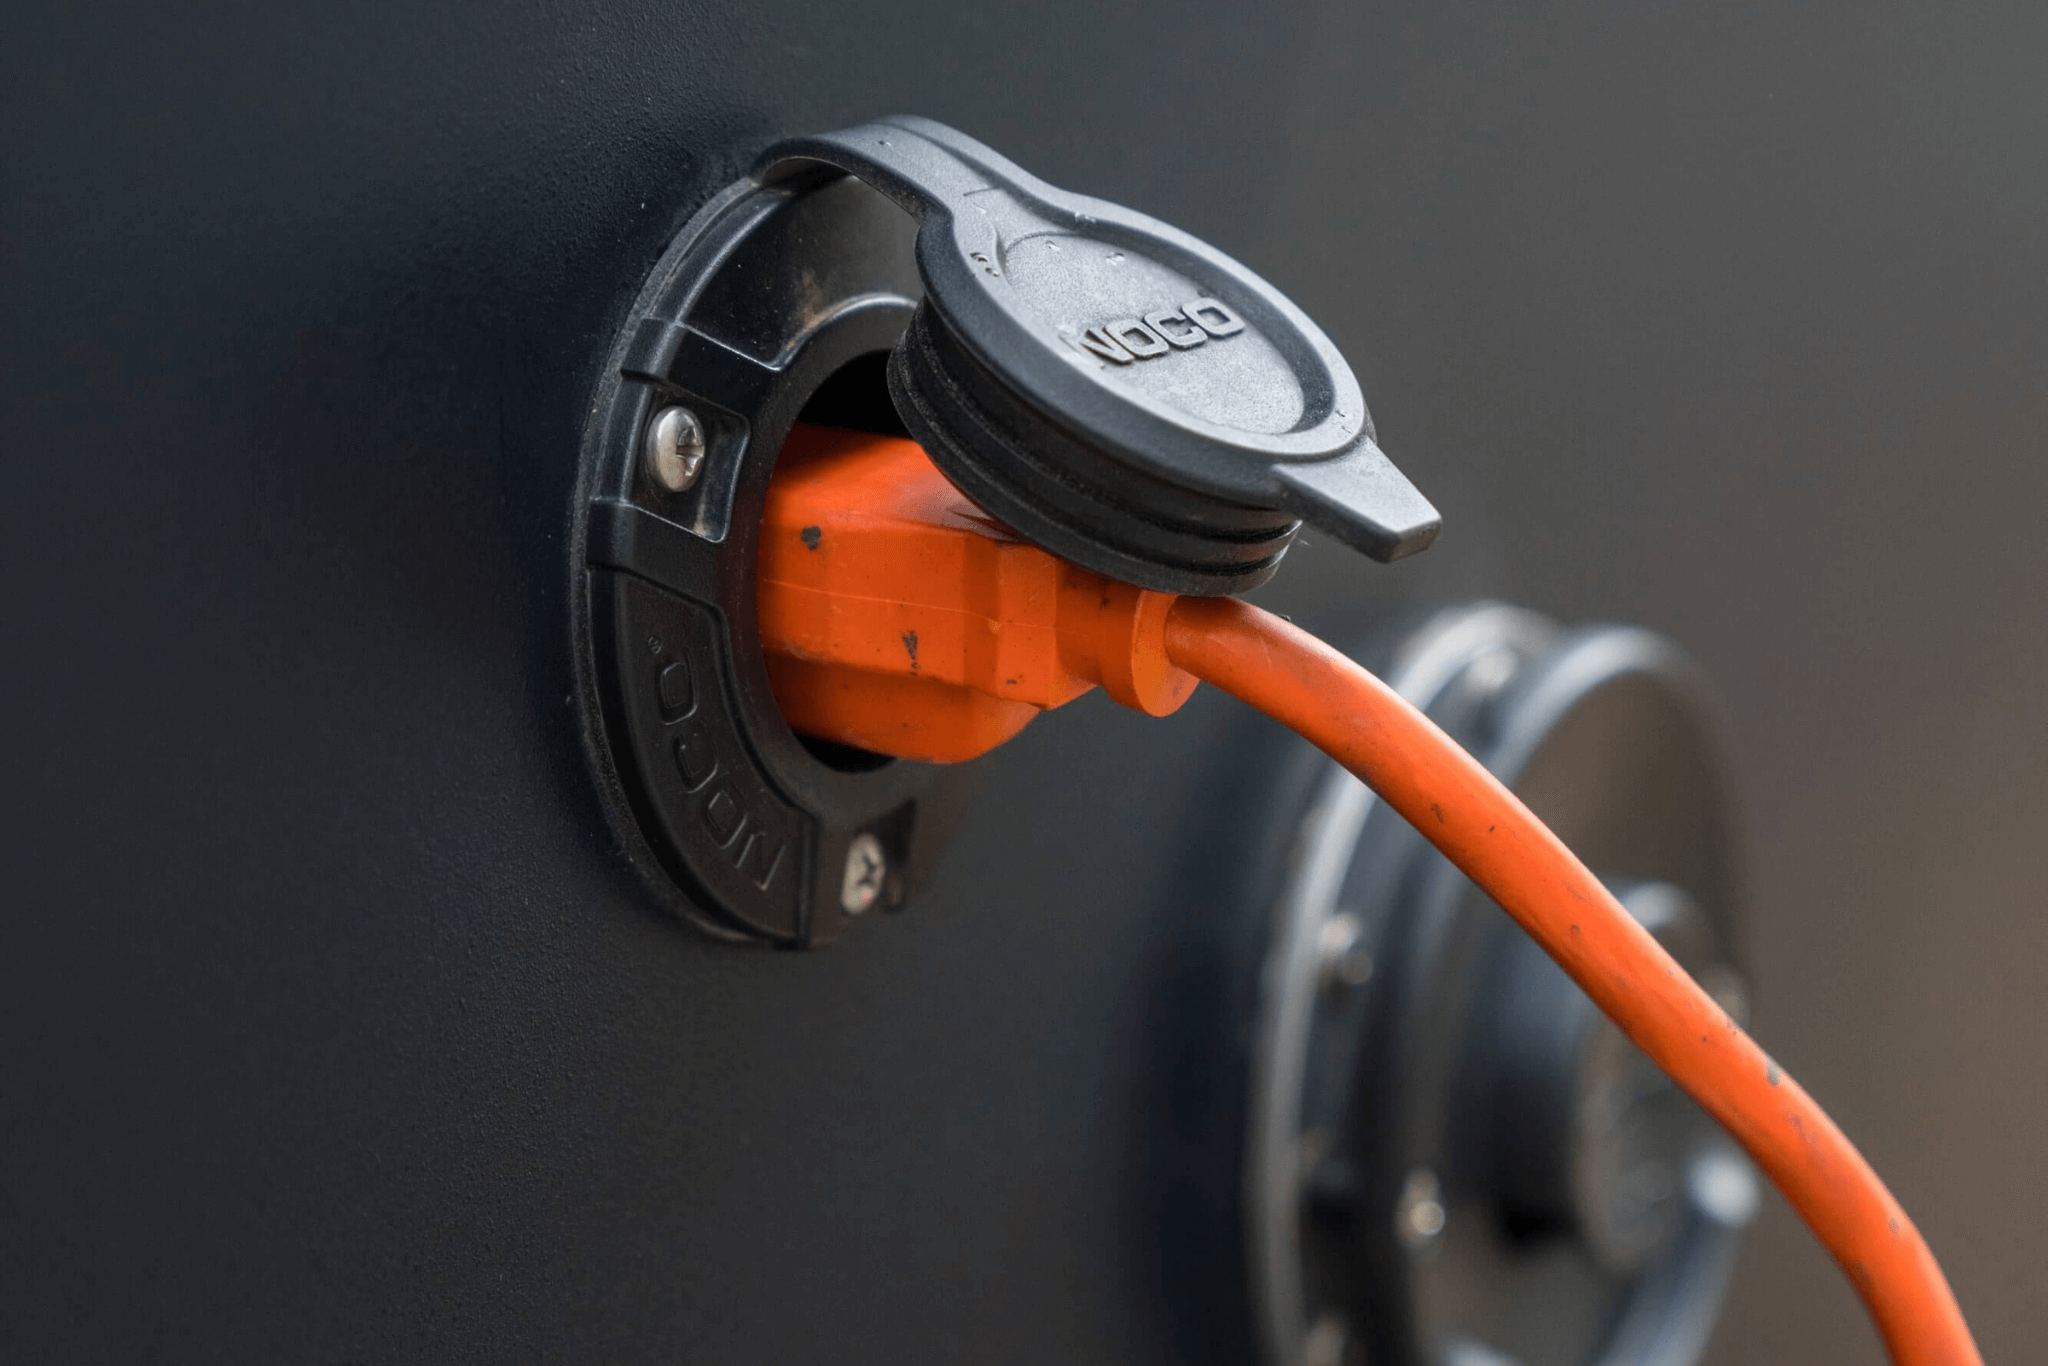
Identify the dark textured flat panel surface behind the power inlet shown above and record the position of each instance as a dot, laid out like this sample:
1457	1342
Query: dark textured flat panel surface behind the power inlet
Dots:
337	1029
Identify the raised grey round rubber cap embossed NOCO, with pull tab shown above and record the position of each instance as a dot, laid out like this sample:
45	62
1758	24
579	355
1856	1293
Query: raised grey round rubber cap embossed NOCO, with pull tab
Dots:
1111	388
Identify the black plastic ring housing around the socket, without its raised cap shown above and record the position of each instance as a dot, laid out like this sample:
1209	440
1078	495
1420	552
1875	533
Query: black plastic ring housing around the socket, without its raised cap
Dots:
763	300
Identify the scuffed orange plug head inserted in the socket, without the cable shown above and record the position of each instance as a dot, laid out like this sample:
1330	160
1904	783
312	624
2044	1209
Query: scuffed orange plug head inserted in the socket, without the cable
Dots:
900	617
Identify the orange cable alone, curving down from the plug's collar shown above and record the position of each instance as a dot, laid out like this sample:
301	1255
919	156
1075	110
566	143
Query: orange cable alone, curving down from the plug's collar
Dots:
1512	857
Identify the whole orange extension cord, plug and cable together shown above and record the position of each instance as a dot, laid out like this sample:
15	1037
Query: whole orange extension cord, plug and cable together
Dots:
898	617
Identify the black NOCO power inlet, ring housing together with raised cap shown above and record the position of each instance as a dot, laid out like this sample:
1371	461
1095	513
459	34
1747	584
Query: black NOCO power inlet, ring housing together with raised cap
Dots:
1103	384
